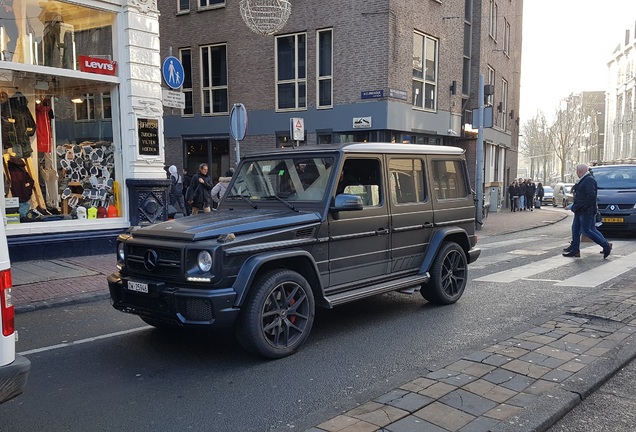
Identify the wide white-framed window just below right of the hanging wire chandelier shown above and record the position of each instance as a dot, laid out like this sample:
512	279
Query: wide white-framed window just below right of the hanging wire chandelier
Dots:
291	72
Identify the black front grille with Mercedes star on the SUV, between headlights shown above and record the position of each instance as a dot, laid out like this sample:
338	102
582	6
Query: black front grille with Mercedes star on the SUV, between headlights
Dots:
154	261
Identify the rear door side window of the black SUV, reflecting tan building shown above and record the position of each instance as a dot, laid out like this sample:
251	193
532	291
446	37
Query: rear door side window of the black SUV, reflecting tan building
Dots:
407	181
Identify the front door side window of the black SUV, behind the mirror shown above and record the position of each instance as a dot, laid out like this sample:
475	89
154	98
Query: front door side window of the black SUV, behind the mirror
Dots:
362	177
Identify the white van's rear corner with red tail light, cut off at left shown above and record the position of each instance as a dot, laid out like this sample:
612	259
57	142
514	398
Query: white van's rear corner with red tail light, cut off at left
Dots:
14	370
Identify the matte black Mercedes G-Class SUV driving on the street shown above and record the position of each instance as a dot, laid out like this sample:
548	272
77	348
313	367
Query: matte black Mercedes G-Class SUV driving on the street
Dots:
300	227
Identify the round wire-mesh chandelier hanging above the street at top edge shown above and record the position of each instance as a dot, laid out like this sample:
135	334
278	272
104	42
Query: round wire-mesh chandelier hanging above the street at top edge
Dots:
265	17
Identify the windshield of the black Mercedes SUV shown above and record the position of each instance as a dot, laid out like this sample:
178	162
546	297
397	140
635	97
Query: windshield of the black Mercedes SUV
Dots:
291	178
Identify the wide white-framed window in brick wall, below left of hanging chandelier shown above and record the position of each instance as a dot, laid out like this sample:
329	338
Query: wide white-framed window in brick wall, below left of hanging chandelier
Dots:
214	79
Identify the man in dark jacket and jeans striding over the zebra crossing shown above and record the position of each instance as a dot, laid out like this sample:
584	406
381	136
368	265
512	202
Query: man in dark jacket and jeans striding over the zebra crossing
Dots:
584	208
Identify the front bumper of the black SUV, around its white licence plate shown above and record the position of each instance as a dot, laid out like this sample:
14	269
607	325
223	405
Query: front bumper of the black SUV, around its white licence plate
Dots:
184	306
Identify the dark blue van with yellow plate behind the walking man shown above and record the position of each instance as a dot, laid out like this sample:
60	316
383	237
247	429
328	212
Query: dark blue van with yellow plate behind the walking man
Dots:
616	196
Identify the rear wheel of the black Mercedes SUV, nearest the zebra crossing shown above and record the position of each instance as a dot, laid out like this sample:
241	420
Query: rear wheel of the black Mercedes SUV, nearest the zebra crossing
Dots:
449	274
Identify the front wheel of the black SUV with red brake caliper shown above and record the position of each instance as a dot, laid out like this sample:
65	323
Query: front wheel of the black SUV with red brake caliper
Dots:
278	314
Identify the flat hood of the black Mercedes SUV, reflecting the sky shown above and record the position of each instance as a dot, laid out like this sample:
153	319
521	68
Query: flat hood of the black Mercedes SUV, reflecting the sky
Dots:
239	221
